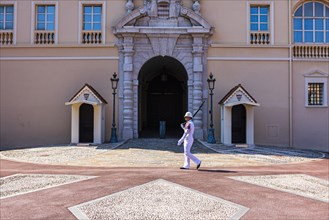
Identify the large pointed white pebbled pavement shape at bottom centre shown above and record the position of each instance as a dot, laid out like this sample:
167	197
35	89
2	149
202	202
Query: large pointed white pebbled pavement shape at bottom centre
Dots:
159	199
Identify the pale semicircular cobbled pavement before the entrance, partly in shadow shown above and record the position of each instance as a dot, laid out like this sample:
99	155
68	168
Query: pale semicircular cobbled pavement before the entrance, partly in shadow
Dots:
159	153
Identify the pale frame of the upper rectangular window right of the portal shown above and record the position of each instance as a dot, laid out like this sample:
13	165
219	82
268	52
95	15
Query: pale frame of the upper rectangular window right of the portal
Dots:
270	5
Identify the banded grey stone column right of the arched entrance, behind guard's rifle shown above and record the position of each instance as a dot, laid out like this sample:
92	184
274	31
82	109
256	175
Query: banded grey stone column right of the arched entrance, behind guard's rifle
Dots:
197	52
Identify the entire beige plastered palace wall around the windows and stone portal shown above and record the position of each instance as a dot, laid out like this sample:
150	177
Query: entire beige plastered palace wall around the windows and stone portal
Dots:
33	91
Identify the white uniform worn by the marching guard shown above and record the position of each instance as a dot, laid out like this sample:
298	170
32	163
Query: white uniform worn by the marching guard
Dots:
188	139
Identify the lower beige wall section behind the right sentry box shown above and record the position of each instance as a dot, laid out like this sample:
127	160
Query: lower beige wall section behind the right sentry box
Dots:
267	82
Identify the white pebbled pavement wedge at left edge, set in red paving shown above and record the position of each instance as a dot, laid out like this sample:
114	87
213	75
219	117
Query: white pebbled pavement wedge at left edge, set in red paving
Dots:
19	184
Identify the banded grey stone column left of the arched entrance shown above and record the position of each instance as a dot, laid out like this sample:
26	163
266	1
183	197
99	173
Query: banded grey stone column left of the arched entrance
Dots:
128	116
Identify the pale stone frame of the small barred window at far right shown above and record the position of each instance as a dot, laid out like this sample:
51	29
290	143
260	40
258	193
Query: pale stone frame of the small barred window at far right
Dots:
317	77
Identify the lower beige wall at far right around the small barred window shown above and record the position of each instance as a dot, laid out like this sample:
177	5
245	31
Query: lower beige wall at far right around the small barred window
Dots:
310	124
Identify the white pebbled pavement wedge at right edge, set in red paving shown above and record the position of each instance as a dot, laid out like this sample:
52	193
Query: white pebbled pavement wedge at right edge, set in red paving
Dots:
298	184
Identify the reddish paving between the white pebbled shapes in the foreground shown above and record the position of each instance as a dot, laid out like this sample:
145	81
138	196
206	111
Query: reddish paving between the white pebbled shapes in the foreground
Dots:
264	203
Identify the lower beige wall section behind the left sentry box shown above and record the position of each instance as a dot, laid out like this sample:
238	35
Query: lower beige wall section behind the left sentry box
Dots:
33	96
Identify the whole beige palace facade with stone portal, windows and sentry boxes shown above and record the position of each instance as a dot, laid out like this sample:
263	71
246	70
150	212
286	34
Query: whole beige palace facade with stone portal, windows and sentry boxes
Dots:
270	60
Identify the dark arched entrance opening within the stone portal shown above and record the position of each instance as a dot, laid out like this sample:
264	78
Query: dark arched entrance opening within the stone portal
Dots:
162	96
